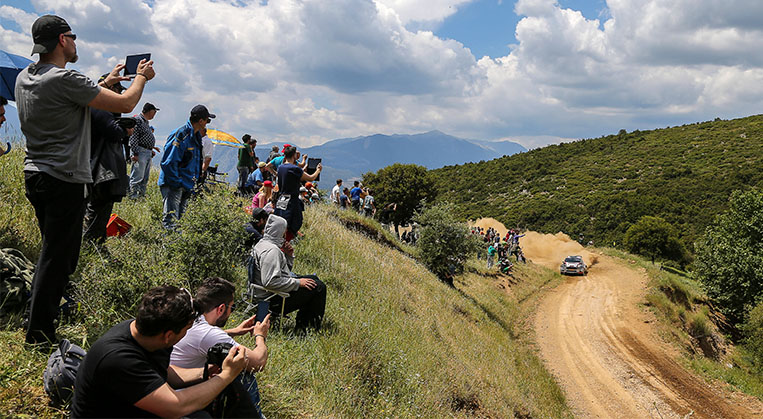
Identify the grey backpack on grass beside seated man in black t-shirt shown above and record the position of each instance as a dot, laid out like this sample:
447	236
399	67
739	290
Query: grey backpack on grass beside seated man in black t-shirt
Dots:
59	375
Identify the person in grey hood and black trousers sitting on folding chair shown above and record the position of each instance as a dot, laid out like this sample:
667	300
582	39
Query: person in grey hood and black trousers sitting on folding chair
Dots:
274	256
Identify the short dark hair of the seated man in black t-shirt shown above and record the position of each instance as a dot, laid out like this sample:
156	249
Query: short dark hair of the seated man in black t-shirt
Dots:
164	308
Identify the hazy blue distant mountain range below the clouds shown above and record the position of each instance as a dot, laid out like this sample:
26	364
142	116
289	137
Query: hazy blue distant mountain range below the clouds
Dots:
349	158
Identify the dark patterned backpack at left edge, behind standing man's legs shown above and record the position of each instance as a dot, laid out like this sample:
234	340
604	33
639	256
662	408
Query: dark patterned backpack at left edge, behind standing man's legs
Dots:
16	273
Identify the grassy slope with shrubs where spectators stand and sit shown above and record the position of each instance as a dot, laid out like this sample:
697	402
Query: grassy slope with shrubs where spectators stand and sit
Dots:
397	341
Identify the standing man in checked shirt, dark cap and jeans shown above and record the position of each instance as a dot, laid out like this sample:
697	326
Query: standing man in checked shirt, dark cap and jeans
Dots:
143	149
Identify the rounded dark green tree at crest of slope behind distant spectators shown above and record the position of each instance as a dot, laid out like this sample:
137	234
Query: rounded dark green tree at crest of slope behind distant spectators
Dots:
407	185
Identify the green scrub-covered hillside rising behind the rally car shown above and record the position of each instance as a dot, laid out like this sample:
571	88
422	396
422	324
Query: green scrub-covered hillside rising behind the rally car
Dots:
599	187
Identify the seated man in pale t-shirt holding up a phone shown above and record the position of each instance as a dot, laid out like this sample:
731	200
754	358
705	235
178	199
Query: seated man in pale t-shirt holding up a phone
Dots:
215	300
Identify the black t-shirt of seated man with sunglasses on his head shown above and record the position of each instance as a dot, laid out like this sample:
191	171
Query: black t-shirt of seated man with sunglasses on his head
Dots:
116	373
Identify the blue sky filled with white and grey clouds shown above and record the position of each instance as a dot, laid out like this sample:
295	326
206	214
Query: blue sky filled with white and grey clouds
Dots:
532	71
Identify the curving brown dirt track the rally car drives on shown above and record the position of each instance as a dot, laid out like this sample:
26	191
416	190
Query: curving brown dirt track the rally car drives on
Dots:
603	350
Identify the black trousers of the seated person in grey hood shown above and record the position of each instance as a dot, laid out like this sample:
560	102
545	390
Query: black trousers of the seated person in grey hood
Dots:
310	303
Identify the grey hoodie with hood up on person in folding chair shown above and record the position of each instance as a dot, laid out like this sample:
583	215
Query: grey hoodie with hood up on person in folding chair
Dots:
274	271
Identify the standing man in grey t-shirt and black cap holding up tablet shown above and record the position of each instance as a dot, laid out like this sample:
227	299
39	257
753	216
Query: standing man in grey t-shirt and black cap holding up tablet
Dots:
53	111
